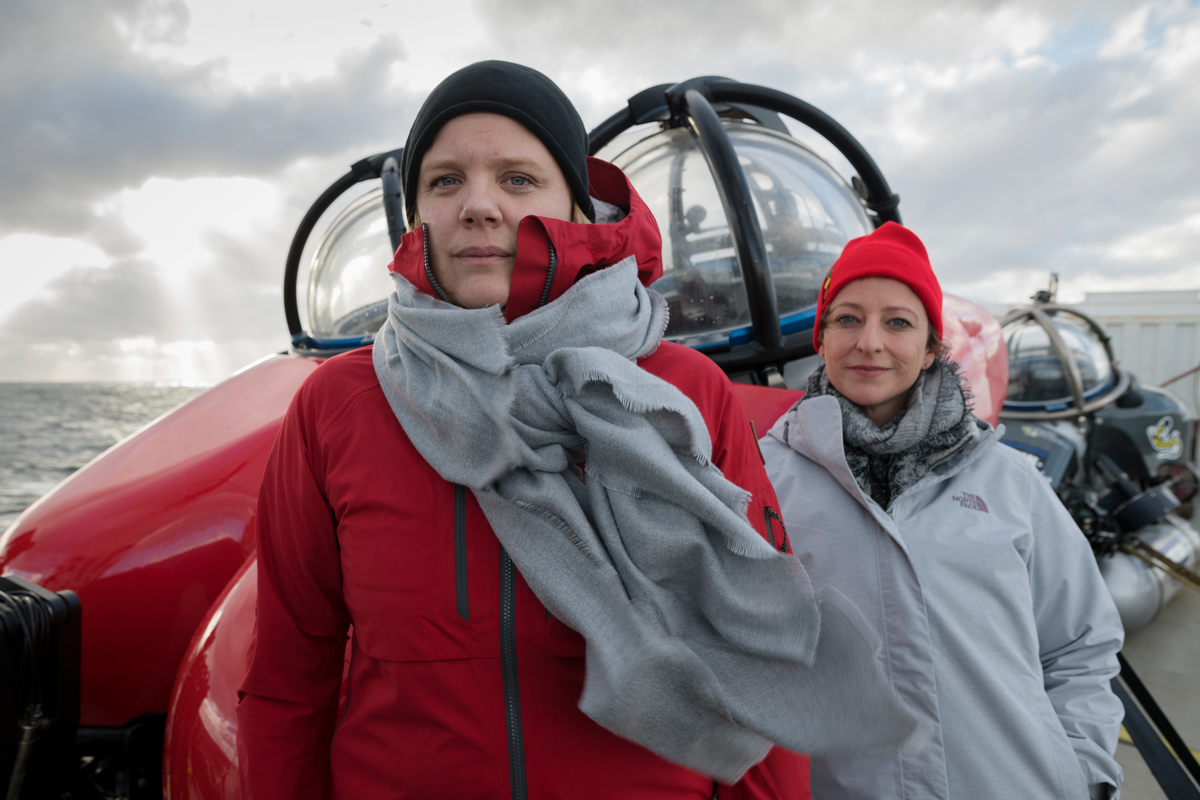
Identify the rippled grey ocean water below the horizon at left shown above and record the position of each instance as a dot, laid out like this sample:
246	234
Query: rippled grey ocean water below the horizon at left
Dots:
49	431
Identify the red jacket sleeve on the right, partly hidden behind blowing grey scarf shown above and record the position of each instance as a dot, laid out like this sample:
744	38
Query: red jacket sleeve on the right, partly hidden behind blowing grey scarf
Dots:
783	774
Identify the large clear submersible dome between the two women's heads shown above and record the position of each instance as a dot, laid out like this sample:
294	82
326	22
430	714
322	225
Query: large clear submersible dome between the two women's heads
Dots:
806	210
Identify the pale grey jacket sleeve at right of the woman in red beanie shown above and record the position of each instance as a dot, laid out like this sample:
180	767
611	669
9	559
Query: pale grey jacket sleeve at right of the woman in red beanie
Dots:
1079	635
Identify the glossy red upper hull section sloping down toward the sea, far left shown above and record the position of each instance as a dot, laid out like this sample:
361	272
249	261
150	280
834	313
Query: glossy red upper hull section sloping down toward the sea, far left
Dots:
151	533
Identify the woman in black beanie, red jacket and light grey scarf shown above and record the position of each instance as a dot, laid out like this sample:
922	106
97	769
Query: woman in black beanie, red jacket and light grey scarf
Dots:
494	479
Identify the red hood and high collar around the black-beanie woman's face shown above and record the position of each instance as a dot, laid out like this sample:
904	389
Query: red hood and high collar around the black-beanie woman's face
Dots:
579	250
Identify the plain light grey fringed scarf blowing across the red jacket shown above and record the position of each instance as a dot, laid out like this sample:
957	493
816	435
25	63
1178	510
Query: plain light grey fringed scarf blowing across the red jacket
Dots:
704	645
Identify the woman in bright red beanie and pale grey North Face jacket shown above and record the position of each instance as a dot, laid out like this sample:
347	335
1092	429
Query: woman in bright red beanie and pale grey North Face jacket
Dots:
997	629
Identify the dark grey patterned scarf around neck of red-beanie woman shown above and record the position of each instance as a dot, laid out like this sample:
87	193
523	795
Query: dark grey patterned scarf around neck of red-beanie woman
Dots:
935	426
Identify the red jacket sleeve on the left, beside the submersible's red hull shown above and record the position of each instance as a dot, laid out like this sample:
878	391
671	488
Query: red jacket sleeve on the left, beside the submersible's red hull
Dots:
289	699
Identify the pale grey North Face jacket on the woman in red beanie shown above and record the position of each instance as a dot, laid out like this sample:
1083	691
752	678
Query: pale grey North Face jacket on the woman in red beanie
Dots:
998	630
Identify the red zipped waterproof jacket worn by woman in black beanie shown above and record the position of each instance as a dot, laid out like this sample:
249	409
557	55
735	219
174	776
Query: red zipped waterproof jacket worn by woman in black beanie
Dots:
461	684
